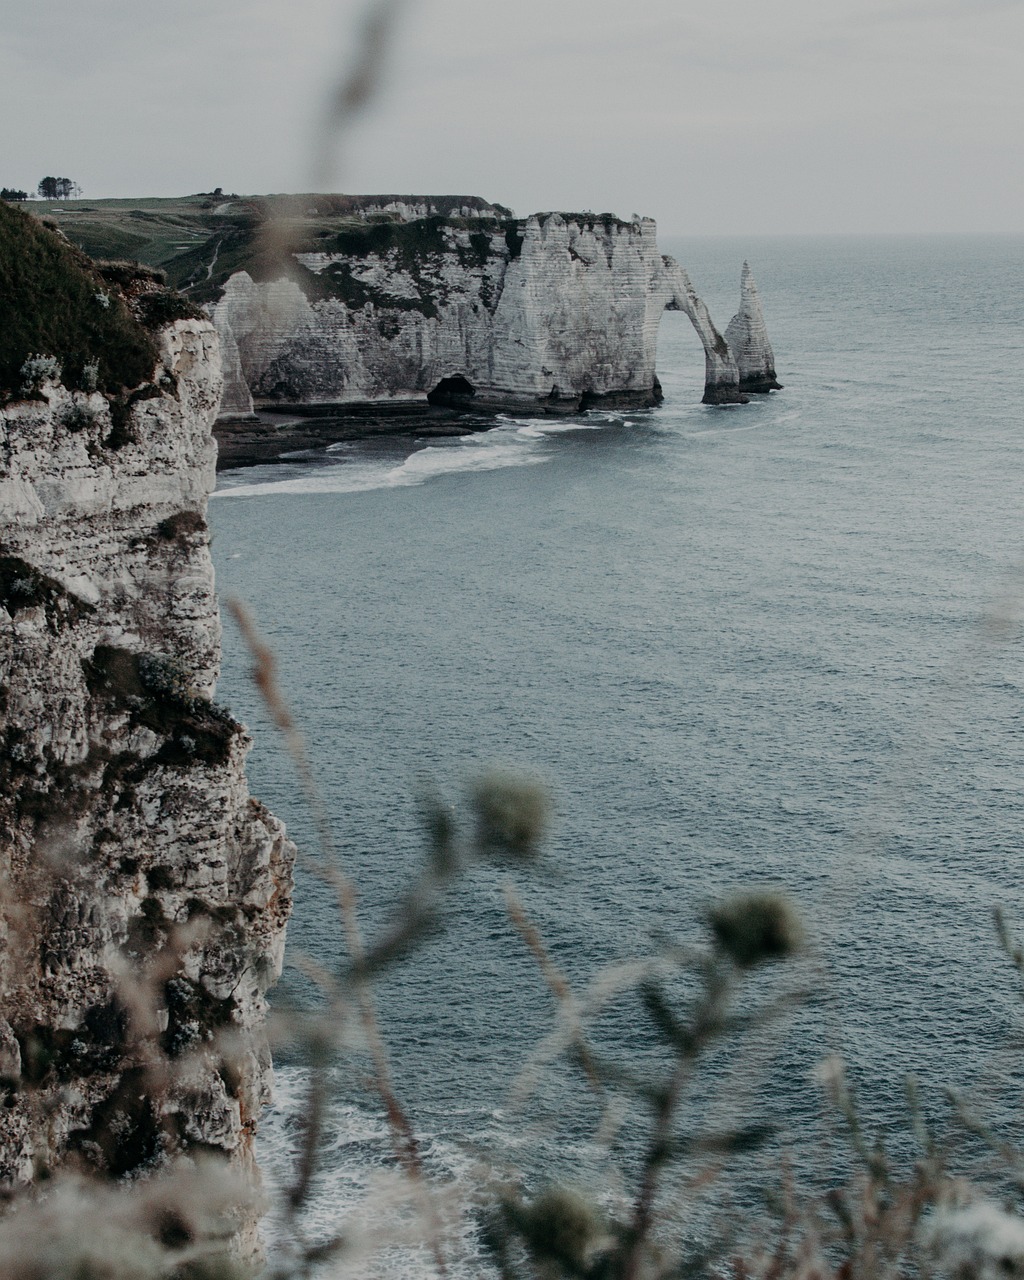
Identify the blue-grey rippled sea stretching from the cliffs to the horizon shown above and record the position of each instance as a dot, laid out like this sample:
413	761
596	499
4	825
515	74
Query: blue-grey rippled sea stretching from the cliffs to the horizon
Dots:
765	646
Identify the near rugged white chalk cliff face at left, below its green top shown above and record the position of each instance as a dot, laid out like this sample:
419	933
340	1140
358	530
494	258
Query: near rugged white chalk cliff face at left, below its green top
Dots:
144	893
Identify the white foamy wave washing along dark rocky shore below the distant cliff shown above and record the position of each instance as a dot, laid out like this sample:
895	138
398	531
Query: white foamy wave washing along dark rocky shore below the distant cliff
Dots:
348	469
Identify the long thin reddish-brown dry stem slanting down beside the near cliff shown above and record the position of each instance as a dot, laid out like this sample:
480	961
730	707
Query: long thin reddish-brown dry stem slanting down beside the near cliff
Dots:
404	1139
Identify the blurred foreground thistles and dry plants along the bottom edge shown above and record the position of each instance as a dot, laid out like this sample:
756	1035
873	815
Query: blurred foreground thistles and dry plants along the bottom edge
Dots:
689	1003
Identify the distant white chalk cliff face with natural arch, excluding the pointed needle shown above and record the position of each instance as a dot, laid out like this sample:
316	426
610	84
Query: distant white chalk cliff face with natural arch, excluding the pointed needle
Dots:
550	314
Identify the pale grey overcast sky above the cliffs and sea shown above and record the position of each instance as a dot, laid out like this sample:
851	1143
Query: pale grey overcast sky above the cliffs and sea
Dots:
755	117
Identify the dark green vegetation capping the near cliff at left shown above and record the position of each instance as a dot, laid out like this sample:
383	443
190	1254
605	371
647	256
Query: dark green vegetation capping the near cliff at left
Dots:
54	303
